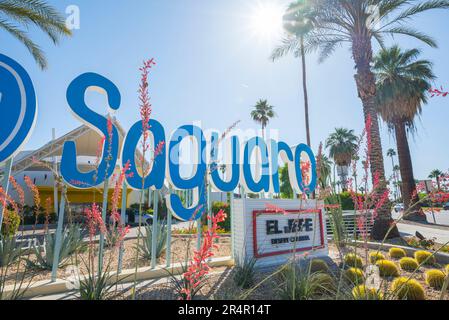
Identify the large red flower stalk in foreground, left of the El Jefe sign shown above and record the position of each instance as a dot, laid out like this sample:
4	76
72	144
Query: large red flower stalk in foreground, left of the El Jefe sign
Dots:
199	267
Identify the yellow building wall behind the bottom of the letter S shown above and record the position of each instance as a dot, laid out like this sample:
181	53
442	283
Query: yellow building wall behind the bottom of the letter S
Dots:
78	196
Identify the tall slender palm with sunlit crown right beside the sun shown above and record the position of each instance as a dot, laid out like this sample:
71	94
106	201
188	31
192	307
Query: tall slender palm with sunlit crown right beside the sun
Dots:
298	22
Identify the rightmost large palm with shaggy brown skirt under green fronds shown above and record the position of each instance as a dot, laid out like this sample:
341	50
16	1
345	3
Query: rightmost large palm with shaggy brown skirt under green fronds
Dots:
402	84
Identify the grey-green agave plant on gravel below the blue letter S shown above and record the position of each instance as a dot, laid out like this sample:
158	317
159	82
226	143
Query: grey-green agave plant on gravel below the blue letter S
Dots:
71	242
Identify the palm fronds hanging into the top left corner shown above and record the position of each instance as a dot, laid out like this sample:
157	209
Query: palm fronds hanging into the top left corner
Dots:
15	14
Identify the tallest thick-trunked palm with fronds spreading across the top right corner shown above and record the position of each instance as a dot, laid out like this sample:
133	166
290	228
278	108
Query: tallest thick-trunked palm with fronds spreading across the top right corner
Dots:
357	23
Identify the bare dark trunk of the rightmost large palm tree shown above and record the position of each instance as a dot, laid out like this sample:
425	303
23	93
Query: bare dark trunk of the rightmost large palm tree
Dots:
409	195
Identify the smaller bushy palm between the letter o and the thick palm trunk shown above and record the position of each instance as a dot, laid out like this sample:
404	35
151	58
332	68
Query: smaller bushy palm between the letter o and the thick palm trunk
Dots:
342	145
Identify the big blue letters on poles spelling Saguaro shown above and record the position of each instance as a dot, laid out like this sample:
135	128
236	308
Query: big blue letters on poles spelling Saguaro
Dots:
167	167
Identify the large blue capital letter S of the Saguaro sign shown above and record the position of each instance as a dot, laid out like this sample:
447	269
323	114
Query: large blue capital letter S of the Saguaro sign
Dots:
76	100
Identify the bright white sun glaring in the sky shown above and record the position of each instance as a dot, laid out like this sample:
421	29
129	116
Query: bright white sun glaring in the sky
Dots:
266	20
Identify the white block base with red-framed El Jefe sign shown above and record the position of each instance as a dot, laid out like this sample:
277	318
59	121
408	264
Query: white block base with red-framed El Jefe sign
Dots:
272	231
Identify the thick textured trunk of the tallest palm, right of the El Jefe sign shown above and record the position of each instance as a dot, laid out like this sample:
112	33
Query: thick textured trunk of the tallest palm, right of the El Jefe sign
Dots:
366	85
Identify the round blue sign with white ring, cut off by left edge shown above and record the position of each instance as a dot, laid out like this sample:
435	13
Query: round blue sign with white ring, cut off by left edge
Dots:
18	106
